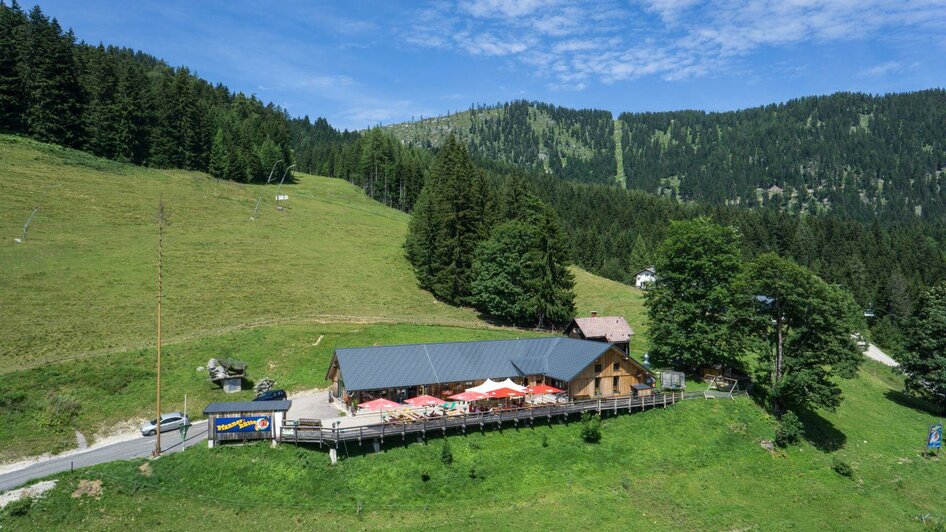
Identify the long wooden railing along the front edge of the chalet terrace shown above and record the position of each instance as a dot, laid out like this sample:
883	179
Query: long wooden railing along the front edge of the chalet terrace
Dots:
477	420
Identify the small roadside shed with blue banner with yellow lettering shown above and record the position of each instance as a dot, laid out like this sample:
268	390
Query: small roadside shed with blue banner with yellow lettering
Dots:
244	420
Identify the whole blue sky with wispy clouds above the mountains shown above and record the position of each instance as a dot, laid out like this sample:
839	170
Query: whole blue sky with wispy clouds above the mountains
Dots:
361	63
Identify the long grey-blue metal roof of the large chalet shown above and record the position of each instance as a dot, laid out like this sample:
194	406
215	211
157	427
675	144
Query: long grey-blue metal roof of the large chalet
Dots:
395	366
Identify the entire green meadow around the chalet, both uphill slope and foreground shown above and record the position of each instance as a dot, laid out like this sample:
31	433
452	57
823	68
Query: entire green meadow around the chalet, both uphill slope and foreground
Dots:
77	304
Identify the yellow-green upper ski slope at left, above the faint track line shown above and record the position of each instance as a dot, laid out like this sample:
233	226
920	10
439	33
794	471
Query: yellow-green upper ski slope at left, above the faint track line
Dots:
85	278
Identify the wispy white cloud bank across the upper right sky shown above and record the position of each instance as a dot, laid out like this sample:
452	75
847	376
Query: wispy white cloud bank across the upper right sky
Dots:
609	40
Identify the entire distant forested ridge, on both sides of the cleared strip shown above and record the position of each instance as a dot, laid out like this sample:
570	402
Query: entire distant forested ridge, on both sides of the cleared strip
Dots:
850	154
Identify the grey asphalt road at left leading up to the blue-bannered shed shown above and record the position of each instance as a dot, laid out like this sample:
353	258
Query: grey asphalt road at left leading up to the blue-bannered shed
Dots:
137	448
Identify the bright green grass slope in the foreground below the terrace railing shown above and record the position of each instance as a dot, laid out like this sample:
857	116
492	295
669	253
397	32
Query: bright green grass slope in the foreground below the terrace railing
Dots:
697	465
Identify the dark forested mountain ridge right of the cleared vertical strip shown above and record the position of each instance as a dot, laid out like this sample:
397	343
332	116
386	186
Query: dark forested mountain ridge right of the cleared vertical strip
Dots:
856	155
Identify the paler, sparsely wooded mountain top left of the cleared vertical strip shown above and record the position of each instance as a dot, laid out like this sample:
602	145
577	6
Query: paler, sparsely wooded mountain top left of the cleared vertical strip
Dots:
573	144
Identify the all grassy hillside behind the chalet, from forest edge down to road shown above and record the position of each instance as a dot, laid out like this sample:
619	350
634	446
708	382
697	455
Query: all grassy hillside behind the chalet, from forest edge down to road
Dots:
78	297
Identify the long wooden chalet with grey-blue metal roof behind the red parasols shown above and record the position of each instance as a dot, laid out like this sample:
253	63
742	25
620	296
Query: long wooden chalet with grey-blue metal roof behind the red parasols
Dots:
583	368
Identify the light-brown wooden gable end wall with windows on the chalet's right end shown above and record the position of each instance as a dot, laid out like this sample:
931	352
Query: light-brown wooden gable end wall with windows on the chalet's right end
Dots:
611	374
